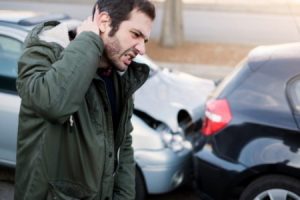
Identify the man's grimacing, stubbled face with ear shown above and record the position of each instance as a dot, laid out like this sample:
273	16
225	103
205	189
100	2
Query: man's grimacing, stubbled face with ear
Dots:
128	41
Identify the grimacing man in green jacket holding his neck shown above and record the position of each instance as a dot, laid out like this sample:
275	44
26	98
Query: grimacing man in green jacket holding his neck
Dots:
74	137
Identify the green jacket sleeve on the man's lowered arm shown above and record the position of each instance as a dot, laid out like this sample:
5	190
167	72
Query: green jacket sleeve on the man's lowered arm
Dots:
124	188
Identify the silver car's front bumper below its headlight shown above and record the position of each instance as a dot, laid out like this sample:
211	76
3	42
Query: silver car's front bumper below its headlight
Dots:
164	170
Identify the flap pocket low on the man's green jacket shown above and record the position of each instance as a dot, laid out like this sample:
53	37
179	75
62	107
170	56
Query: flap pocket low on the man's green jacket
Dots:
66	190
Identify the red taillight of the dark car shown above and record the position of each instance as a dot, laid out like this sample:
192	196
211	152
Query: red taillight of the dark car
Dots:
217	116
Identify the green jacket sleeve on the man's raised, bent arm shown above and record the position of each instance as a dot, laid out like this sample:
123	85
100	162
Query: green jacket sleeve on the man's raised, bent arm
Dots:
54	84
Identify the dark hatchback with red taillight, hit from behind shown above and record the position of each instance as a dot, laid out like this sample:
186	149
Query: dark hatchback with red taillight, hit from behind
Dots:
251	130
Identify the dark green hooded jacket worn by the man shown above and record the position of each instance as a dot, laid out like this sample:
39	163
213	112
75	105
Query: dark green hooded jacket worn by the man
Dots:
66	145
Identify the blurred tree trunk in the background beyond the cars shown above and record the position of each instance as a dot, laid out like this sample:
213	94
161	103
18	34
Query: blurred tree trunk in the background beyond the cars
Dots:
172	27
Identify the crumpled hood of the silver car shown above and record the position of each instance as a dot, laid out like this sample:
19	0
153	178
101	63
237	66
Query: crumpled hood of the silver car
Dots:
173	91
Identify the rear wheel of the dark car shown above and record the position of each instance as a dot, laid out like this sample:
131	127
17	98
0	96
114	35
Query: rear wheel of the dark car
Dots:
272	187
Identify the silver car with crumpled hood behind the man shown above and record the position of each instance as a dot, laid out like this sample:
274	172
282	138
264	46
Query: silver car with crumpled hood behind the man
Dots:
162	153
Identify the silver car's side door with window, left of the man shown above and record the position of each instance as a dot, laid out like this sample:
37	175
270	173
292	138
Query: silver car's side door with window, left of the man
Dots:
10	50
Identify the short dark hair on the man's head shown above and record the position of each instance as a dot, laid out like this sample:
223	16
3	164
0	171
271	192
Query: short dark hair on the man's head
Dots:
119	10
